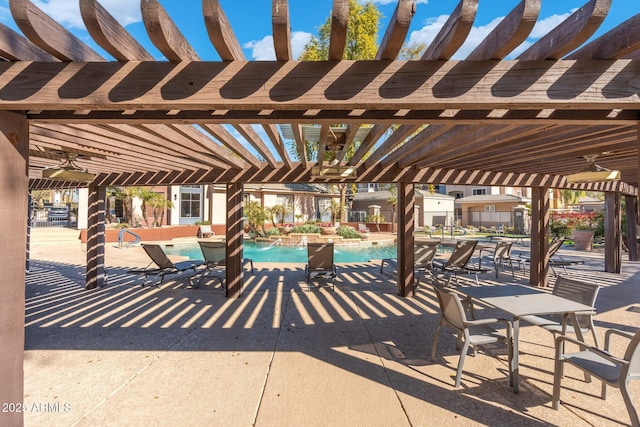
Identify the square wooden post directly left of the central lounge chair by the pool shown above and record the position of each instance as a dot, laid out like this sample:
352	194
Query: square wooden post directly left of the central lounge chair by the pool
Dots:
234	240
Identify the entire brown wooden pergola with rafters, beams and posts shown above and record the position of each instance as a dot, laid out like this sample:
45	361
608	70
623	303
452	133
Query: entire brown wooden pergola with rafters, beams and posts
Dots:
131	120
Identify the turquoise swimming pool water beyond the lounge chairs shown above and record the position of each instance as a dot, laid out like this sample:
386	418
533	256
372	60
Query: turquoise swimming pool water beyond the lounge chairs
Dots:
276	253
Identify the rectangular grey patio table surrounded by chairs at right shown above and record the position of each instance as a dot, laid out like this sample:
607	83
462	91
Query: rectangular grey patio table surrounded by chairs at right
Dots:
519	300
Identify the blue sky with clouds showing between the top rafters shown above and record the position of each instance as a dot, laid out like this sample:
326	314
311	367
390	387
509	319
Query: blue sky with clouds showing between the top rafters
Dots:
251	20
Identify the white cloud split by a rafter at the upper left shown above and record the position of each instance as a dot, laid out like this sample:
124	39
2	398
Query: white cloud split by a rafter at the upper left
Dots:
67	12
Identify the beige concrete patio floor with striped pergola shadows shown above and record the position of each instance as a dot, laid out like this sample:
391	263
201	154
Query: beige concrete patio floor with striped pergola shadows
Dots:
358	356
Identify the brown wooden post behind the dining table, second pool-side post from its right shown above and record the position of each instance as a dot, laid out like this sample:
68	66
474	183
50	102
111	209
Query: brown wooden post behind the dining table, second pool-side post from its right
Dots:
539	273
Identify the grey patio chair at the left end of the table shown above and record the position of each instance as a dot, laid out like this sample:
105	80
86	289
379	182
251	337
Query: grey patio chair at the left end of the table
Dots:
470	333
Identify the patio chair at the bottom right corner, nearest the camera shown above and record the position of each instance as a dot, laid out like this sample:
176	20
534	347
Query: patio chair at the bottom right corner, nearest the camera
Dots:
611	370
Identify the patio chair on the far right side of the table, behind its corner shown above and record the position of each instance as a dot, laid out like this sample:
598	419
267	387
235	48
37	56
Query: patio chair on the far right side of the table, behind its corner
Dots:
574	290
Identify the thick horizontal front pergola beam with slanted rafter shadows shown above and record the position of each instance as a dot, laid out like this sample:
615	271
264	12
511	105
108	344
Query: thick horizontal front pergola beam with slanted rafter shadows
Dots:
479	85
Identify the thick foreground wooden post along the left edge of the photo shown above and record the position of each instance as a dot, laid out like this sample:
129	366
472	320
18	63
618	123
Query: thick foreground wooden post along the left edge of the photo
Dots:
14	190
